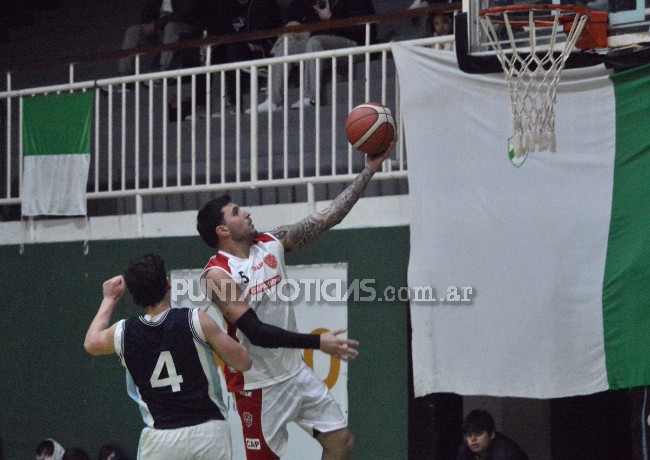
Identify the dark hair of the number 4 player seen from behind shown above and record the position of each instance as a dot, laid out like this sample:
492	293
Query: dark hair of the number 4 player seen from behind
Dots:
146	280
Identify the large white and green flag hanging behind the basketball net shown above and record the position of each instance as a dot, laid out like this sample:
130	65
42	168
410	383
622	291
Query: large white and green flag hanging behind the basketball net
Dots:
554	253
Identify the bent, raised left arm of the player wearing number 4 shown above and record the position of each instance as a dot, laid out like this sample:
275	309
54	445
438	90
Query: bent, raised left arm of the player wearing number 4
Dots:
99	338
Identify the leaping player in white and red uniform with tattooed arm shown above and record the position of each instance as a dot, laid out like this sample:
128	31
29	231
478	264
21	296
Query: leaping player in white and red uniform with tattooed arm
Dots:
279	388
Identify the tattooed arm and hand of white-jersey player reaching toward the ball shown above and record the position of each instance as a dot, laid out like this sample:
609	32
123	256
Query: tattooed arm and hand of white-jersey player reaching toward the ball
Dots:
309	229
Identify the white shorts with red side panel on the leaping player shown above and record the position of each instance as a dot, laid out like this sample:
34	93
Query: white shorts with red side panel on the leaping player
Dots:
265	413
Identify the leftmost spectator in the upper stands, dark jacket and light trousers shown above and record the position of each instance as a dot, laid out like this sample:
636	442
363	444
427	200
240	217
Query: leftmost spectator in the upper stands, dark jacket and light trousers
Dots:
162	21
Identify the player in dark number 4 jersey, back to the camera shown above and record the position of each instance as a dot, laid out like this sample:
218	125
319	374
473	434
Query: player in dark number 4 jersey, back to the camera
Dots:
171	372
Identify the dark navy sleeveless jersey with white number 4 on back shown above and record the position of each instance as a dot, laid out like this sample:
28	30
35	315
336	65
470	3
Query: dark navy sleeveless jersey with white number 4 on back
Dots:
171	373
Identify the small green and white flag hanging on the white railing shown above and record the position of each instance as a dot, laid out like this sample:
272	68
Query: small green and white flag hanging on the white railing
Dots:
56	152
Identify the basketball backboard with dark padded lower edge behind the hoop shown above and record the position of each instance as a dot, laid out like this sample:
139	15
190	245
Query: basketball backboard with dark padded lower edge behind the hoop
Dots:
628	25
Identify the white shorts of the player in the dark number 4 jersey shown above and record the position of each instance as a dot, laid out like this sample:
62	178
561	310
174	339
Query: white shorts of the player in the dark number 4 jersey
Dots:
206	441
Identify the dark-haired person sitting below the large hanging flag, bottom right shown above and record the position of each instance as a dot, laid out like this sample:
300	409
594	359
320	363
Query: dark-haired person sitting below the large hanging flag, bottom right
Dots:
483	442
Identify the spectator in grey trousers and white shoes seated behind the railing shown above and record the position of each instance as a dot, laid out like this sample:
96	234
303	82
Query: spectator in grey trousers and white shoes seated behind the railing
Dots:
313	11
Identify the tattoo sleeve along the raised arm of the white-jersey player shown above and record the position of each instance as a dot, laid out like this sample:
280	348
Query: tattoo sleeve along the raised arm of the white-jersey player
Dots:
313	226
